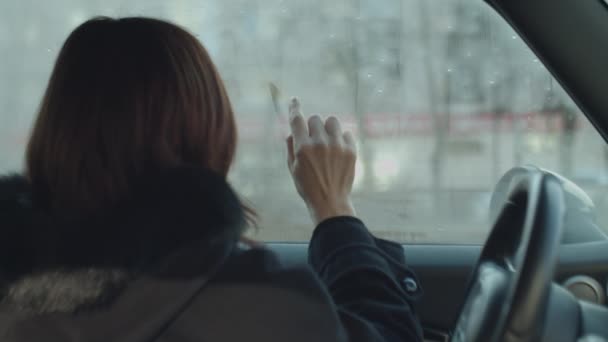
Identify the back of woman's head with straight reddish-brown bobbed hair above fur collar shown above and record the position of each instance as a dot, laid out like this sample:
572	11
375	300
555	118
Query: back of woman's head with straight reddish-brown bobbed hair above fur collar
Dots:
126	95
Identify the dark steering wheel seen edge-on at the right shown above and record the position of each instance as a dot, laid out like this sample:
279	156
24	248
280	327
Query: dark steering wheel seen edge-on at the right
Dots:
509	290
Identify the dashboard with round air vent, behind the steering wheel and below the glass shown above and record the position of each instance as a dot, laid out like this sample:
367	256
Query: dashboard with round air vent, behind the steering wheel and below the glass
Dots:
444	270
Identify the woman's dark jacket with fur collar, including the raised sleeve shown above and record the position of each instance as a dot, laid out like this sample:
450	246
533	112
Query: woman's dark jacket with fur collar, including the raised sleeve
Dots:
166	265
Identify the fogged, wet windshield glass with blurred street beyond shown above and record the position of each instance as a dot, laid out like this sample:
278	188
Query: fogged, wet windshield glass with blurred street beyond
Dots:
442	95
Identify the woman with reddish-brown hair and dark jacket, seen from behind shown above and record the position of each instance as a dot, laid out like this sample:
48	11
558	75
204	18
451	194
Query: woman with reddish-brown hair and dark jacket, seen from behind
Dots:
123	227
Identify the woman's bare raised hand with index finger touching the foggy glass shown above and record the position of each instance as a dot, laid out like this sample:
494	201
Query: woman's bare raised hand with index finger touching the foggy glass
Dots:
322	163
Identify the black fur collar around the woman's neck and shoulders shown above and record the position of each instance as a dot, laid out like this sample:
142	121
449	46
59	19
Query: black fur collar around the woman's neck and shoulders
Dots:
48	264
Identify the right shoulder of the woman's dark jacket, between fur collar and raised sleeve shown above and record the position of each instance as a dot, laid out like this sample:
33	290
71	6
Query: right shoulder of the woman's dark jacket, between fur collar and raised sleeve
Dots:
262	300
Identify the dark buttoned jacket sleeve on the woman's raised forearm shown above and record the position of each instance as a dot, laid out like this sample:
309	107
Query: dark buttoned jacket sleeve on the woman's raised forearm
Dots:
367	280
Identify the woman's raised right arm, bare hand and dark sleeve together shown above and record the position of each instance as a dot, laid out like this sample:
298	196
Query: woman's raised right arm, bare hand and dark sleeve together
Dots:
365	276
